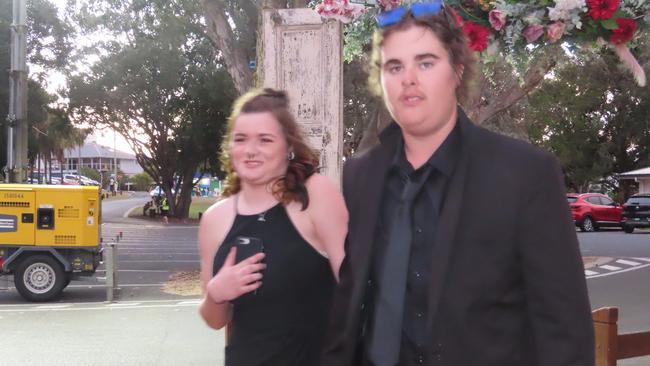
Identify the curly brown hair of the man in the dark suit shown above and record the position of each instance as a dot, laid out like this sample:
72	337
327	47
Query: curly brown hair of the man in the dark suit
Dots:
450	34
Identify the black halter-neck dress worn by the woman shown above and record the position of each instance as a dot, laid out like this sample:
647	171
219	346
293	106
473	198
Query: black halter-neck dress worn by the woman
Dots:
283	321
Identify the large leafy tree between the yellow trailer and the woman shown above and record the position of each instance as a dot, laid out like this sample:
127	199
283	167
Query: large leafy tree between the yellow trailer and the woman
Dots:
159	83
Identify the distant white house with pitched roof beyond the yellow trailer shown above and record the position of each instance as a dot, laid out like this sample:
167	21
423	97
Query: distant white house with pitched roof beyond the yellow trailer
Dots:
100	158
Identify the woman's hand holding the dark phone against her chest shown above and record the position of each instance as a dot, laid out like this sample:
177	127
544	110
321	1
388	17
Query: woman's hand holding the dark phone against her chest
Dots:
234	280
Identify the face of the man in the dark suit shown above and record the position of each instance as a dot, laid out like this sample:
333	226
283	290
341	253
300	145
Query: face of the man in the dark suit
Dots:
418	81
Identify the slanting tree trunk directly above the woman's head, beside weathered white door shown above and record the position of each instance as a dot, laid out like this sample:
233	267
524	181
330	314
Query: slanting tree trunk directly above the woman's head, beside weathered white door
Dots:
222	36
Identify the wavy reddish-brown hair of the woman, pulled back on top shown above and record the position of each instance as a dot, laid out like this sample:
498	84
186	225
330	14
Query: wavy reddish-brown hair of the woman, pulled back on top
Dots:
290	187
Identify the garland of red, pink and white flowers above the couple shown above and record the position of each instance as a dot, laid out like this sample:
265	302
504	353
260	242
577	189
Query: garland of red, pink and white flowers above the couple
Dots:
491	25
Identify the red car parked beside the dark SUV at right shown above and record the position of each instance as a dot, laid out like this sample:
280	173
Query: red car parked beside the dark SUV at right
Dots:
592	211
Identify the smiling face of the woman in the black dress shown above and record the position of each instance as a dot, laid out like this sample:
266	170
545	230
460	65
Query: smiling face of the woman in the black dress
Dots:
258	148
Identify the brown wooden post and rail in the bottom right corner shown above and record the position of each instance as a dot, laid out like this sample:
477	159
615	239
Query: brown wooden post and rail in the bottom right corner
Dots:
611	346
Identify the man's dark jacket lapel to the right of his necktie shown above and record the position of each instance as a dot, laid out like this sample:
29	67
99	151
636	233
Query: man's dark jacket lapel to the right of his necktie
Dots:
448	220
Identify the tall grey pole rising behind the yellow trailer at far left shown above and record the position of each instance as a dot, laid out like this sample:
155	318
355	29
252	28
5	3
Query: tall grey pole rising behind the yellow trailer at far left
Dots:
17	127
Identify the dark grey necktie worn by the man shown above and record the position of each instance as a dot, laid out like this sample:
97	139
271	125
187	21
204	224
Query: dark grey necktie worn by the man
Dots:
389	308
